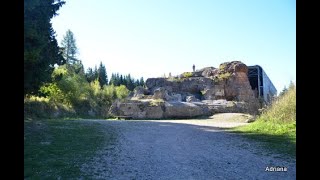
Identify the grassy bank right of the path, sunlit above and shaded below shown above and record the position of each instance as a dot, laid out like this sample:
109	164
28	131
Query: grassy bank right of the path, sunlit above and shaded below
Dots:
276	127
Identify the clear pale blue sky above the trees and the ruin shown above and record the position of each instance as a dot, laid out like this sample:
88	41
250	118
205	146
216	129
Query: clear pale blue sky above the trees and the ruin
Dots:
149	38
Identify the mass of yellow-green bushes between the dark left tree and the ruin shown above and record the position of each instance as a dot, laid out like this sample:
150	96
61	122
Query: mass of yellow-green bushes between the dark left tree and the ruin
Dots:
71	89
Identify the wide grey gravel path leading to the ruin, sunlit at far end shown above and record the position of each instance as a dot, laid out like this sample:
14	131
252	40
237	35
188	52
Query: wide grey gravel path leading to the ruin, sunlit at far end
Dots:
183	149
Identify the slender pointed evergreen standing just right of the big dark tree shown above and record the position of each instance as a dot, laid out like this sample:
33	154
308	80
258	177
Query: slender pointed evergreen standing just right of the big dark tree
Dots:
69	47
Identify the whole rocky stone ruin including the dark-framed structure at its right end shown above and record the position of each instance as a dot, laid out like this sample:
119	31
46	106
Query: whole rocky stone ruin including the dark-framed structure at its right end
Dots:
233	87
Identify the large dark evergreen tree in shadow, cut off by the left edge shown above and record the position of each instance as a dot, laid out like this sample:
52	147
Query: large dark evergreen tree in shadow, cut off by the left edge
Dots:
41	50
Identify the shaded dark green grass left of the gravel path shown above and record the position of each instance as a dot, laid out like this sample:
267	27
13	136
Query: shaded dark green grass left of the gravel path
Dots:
57	148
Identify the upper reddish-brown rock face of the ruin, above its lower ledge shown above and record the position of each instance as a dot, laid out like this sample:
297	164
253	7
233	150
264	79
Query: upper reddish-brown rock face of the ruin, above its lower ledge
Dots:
229	82
